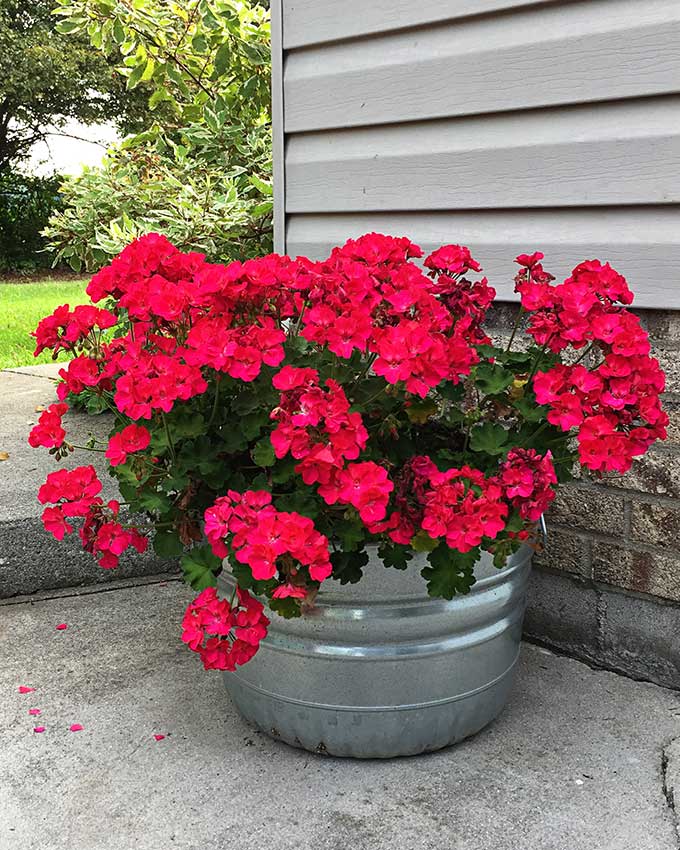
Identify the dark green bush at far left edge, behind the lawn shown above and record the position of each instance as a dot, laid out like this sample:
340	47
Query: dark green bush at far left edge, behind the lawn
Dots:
26	204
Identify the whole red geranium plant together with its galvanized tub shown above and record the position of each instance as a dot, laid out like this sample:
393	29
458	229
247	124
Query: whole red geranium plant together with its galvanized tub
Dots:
350	469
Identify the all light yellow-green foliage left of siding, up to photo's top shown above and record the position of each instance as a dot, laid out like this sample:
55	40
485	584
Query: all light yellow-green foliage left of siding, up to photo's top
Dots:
201	176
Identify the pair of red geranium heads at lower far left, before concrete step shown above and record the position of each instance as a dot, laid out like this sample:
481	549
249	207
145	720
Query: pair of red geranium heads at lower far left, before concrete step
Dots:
75	493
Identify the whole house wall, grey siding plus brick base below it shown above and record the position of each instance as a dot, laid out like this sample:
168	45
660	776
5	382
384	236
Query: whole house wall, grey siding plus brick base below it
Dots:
509	126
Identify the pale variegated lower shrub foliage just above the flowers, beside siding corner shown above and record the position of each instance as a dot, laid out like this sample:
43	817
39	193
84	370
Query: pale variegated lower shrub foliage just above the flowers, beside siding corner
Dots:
190	192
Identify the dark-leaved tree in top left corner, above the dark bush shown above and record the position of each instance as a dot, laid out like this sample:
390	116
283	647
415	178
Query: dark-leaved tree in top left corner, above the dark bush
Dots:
47	78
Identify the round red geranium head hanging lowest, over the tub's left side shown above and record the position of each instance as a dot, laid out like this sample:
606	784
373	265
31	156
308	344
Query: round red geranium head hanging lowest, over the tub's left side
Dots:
224	636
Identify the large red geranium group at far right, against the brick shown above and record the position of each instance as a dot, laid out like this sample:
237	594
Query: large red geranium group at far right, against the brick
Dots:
614	406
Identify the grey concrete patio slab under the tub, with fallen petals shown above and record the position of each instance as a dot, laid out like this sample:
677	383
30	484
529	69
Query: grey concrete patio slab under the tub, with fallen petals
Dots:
581	758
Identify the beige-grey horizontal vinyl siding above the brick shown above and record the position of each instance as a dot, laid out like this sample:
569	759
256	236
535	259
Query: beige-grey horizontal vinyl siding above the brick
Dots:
506	126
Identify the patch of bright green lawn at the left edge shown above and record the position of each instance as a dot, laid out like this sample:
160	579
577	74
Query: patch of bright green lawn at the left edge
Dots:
22	306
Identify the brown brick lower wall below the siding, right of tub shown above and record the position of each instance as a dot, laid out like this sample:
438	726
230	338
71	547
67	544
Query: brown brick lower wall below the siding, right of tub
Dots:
619	535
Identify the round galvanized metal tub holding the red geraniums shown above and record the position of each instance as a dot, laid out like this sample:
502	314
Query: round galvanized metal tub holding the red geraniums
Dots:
379	669
